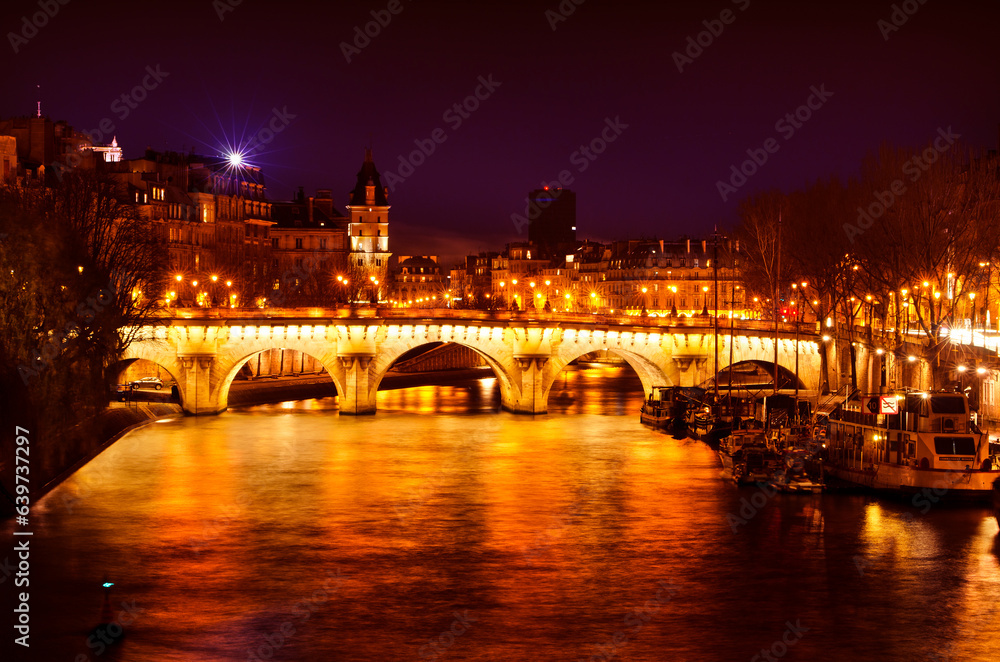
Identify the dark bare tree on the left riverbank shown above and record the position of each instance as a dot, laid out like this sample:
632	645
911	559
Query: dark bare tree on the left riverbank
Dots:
81	273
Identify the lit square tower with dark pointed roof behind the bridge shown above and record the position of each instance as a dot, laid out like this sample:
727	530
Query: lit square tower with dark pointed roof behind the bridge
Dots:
368	229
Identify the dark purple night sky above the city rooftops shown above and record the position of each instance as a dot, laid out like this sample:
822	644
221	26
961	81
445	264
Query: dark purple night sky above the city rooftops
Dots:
549	92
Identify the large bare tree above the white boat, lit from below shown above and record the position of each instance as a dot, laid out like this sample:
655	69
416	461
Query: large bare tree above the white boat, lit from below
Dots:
932	220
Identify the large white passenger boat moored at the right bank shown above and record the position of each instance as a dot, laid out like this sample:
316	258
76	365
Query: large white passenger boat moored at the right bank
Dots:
930	448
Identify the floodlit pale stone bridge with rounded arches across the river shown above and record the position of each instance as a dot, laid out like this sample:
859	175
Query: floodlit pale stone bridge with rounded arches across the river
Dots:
203	349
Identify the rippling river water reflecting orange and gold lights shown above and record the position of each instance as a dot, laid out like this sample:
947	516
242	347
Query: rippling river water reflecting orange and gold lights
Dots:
444	529
